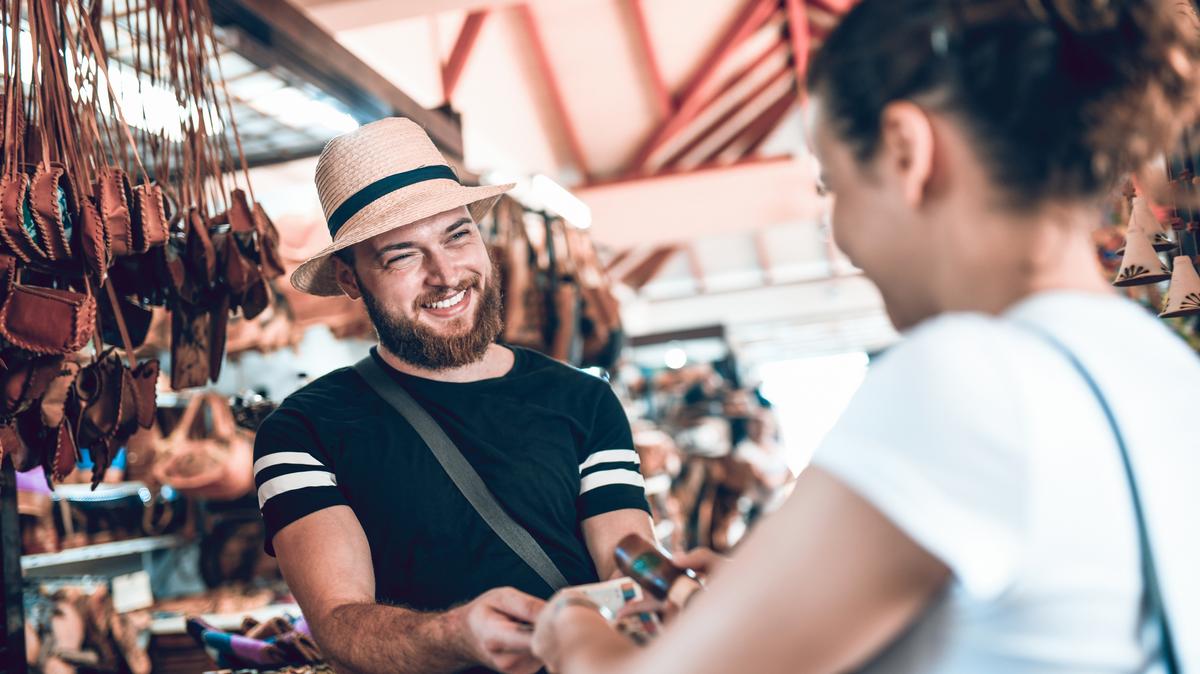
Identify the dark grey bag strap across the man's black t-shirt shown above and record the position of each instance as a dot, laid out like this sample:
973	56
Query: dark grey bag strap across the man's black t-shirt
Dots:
463	474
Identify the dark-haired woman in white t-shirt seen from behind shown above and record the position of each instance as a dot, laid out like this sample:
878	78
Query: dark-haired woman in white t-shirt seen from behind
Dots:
971	511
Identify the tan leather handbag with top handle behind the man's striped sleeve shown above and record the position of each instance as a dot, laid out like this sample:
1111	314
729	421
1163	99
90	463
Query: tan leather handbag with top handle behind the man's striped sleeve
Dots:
214	462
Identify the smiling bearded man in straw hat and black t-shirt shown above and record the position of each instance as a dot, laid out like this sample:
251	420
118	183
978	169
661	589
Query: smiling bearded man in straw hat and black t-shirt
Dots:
393	568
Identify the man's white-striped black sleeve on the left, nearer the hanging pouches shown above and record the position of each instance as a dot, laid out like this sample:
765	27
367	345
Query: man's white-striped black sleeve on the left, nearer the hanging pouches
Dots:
292	473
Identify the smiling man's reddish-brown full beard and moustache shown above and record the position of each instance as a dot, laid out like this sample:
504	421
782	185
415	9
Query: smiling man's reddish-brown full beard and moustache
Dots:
422	347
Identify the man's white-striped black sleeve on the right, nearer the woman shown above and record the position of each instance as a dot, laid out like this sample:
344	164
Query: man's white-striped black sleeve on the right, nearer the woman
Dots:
610	472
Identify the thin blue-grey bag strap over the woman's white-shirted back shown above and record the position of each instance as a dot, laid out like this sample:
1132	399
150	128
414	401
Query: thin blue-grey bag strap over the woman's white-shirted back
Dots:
1149	571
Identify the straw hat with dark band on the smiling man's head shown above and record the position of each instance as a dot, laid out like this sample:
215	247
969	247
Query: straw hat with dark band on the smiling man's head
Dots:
375	179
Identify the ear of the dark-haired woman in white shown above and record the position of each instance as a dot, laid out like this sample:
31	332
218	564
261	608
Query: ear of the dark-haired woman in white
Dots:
907	143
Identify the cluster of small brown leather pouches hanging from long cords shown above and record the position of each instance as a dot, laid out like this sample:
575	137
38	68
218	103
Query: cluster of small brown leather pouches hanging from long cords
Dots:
107	214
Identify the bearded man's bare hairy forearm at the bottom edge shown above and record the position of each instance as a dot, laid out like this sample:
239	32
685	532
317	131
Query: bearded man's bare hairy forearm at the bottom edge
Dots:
376	639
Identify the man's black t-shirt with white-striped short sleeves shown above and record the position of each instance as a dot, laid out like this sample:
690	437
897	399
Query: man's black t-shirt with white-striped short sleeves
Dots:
551	443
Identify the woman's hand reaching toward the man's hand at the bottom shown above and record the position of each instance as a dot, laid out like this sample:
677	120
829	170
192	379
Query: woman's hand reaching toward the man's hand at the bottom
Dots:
569	622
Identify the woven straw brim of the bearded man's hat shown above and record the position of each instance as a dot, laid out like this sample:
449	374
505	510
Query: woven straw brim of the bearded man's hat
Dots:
317	275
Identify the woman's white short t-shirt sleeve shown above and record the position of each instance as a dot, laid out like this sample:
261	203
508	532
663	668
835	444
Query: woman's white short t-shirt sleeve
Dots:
935	441
